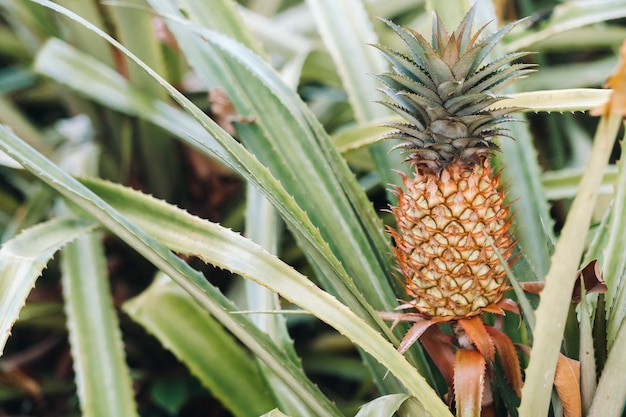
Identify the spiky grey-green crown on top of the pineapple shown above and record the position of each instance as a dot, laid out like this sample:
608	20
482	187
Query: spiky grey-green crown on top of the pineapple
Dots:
444	92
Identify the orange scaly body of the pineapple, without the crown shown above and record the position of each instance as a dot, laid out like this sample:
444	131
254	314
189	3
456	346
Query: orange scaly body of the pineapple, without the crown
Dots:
445	219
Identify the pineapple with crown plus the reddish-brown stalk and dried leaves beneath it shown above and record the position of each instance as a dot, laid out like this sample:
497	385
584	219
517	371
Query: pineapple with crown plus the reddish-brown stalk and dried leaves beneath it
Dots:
453	220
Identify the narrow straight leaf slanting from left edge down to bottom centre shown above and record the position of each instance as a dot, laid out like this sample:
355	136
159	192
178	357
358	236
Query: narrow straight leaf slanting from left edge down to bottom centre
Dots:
209	297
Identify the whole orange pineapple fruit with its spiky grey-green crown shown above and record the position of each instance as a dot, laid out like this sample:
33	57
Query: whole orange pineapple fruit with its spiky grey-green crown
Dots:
451	213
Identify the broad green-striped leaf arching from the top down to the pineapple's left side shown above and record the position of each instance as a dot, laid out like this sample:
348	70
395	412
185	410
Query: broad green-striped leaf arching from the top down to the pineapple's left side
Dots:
292	144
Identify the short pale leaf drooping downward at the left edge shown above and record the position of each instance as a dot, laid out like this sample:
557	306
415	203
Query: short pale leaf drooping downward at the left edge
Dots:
24	257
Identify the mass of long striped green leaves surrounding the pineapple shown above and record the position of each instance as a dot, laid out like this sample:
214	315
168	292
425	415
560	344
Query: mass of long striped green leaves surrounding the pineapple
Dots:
194	205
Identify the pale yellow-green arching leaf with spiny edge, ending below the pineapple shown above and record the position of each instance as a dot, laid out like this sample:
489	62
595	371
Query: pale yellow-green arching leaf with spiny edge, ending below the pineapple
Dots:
190	235
